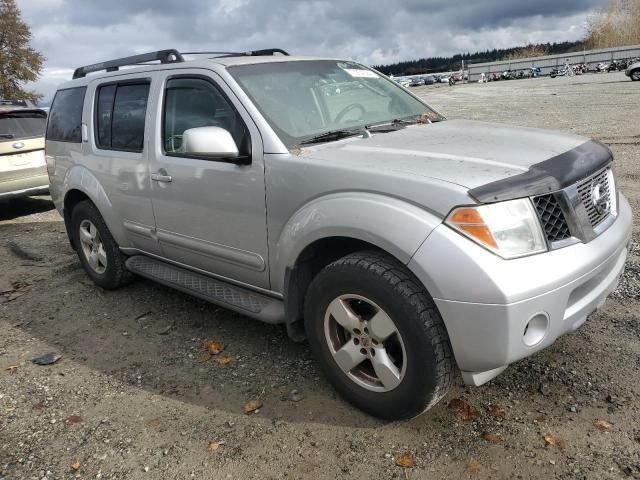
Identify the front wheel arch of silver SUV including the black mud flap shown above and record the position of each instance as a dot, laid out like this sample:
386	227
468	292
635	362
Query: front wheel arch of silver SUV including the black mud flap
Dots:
335	226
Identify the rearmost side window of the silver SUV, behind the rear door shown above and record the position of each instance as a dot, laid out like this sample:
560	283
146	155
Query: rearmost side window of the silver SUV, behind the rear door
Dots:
65	117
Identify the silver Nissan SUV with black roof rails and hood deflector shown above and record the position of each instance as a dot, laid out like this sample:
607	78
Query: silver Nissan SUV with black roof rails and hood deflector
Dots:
321	195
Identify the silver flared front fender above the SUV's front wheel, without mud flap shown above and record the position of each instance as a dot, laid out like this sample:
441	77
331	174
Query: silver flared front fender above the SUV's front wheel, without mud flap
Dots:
394	225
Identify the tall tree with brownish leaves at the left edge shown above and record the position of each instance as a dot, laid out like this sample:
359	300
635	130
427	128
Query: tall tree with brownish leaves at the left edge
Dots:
19	63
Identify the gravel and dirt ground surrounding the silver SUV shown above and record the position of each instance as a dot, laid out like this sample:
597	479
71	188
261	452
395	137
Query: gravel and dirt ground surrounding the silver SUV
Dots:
133	397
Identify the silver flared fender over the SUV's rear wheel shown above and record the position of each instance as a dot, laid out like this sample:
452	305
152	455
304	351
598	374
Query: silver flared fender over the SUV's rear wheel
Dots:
80	178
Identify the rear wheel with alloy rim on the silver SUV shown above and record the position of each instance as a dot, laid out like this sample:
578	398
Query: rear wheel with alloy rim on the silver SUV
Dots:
109	271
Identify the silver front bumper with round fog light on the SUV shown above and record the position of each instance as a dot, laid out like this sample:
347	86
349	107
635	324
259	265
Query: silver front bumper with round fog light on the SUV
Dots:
487	302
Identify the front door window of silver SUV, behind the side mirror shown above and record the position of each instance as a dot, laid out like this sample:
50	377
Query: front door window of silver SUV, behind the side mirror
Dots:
194	102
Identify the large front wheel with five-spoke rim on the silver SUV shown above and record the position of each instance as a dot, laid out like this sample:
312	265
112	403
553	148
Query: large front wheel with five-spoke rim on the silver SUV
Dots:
419	348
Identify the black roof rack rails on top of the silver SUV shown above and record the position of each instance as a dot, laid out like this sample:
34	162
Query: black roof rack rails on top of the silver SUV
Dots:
164	56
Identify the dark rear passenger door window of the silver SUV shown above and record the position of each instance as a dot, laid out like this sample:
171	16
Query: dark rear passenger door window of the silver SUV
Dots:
120	116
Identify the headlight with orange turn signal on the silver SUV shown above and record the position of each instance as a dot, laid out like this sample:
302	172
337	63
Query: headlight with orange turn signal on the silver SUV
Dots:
510	229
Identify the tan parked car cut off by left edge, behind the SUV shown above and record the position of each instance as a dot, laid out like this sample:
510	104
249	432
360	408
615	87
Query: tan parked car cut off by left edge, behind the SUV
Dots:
23	169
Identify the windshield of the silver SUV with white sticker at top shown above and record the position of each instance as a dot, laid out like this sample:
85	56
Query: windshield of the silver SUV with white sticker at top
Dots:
302	100
